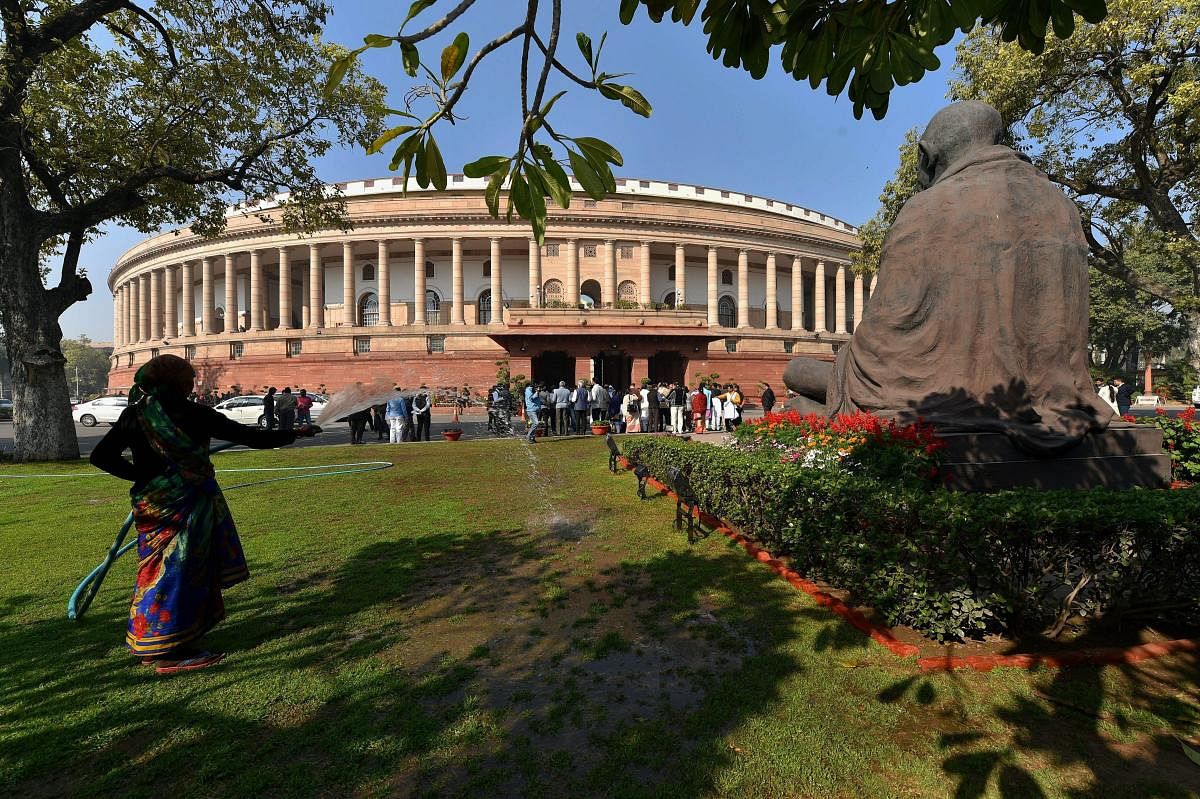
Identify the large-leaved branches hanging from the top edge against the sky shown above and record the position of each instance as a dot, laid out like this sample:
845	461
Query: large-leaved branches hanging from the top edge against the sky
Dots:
865	47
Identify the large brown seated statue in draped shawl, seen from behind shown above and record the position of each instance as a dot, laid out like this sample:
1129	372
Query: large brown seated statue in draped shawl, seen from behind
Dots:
979	321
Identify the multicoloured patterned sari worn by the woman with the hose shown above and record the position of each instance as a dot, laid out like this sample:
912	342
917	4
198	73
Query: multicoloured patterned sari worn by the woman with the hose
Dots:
188	544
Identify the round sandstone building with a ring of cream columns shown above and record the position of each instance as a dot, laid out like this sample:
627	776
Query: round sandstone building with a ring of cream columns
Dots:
661	281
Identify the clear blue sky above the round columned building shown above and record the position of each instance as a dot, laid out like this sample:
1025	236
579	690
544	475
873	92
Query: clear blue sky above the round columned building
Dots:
711	125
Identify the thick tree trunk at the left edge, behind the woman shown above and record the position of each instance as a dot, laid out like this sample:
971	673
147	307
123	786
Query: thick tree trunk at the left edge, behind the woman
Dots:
29	314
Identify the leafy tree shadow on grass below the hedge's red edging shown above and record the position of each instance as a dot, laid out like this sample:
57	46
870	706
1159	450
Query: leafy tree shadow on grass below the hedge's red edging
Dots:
1112	725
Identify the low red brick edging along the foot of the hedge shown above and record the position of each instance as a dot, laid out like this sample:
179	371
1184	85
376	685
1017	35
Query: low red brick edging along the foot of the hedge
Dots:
886	639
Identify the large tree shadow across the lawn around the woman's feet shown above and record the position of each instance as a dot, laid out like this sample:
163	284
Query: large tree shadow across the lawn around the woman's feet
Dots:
369	680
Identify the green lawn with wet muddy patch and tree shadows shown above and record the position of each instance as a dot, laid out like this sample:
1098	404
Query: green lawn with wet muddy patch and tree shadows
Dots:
493	620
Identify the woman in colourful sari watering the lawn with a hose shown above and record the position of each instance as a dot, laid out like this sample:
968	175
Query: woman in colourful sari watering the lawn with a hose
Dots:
188	544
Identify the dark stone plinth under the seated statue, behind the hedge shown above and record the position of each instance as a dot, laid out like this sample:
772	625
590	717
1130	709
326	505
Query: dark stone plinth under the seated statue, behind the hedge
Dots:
1124	456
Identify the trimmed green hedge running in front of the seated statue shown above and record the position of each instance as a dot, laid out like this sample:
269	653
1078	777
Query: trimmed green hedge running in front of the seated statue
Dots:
953	564
